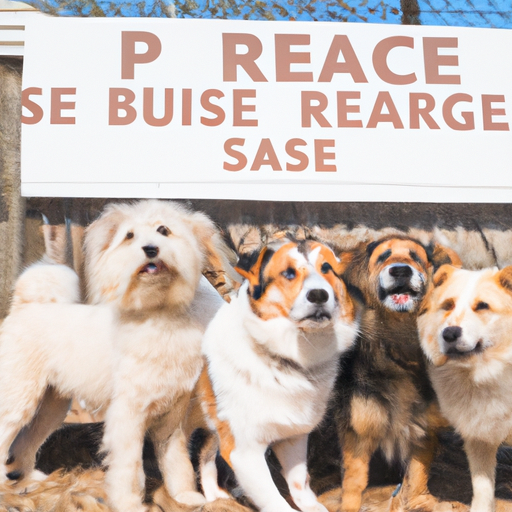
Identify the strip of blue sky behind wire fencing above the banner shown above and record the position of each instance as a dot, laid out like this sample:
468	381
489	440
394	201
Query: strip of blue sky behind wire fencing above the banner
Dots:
465	13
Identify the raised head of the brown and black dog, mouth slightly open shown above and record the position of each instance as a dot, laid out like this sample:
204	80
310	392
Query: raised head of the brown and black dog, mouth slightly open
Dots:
394	272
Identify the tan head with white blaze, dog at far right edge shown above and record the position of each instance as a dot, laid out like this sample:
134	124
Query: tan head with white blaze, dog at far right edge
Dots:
467	315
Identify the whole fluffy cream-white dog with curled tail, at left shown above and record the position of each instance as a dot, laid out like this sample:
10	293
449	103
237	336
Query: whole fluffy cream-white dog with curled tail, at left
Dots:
136	351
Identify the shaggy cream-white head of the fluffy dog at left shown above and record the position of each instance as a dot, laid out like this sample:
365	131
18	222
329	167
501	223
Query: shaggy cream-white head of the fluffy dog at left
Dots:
146	255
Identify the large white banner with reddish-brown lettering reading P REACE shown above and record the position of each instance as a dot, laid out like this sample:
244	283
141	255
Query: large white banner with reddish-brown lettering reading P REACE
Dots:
181	108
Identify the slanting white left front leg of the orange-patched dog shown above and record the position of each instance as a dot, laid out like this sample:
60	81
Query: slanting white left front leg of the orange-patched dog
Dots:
254	476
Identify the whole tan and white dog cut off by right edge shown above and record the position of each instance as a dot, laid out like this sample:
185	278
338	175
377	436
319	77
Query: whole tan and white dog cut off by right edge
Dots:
466	332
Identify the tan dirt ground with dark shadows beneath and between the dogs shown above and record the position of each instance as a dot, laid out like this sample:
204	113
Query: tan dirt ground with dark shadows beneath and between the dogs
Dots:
76	479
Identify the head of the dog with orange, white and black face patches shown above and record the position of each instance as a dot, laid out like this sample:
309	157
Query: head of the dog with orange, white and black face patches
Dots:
297	280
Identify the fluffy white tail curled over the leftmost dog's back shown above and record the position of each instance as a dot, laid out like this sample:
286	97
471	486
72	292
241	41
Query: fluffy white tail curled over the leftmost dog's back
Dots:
46	282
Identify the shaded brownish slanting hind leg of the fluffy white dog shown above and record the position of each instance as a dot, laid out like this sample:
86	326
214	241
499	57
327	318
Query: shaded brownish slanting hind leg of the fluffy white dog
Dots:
49	416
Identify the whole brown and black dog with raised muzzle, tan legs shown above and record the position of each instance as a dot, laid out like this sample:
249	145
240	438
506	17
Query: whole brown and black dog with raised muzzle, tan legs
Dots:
383	397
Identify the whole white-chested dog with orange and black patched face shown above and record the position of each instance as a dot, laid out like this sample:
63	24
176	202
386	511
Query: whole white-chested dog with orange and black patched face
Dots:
272	358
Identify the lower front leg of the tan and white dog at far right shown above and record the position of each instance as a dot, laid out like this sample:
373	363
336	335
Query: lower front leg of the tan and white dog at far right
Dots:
482	464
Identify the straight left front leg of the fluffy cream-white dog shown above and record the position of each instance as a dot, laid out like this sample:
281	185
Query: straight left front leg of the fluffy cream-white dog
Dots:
124	437
